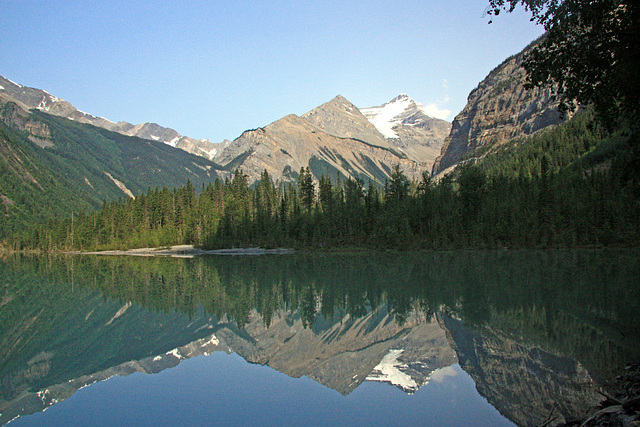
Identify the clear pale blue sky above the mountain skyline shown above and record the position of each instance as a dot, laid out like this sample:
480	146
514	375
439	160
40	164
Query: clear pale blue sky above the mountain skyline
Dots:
212	69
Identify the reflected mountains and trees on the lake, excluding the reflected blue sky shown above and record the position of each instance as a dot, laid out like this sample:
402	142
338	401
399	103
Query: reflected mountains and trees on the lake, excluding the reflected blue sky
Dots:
535	330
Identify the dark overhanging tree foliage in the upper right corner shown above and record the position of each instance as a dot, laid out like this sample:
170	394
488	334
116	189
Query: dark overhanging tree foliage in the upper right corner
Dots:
590	54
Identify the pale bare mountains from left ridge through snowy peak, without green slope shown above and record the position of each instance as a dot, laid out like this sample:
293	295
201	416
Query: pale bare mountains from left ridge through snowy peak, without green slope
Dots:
333	139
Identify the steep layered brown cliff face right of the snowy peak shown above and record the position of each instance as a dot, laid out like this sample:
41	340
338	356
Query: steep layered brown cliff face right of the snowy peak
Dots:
499	109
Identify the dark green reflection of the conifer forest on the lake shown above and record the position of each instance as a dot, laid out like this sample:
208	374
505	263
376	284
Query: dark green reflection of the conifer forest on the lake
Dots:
569	301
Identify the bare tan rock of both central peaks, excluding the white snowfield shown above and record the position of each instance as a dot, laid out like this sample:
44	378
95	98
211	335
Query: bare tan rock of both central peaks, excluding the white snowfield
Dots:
333	139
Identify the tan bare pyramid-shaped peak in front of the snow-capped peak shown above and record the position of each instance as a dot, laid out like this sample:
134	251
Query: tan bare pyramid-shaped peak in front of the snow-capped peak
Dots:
283	147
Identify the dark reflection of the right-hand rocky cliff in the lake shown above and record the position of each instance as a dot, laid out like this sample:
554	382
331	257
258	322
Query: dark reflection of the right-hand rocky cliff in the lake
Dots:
523	381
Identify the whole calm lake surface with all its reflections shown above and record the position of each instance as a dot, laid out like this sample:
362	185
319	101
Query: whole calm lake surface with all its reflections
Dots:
445	338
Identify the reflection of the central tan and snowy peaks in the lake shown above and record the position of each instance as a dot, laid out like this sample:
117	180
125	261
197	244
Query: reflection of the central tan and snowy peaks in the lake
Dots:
341	353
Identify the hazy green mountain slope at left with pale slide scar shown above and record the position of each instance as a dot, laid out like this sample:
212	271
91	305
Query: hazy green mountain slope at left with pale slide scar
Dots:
51	167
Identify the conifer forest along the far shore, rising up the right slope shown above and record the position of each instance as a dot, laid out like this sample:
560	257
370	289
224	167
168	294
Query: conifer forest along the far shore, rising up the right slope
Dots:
564	188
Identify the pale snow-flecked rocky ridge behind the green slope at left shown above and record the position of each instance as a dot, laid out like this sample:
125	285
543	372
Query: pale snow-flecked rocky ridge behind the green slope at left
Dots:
29	98
